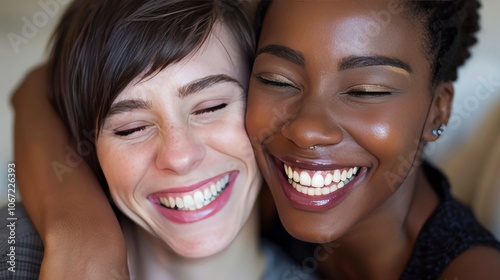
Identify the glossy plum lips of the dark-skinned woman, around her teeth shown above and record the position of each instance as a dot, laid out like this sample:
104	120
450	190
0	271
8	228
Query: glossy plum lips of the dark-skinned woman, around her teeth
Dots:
320	202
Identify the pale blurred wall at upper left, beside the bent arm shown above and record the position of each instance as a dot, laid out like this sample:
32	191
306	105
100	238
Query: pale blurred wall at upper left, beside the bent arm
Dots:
25	27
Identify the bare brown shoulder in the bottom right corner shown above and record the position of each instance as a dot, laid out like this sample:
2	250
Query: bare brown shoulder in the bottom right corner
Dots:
480	262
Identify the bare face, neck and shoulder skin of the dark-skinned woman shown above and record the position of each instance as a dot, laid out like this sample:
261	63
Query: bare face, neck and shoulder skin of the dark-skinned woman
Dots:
360	102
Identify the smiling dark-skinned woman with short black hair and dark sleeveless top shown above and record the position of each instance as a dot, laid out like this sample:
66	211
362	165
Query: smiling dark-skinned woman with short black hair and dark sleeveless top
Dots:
361	86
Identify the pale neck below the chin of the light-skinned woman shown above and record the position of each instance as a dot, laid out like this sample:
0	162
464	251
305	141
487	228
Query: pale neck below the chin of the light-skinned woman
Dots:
242	259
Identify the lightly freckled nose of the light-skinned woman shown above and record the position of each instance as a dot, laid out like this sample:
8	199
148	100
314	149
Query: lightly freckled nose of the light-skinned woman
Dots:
180	151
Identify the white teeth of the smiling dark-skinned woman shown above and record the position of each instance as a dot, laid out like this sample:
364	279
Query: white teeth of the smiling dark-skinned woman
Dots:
320	178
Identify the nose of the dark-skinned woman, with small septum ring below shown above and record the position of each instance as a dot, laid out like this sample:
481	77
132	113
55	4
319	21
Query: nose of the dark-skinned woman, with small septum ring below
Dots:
314	124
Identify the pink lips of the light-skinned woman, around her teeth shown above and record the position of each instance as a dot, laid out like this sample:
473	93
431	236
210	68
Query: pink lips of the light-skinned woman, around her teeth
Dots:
184	216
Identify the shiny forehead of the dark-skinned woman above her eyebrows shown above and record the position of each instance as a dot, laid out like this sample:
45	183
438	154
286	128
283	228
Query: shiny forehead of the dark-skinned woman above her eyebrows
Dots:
344	28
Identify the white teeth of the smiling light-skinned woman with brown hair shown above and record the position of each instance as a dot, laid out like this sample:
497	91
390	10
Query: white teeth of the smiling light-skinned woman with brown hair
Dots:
198	199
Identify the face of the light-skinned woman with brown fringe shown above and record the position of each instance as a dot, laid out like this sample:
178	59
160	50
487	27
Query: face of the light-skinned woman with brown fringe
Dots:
176	134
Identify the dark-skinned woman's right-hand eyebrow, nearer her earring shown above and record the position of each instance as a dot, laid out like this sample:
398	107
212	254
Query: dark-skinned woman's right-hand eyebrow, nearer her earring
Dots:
365	61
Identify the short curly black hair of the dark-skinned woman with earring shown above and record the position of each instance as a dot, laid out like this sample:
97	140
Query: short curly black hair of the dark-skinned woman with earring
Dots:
450	31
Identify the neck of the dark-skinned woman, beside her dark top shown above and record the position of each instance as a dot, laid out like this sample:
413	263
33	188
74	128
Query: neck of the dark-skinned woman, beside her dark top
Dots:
380	246
